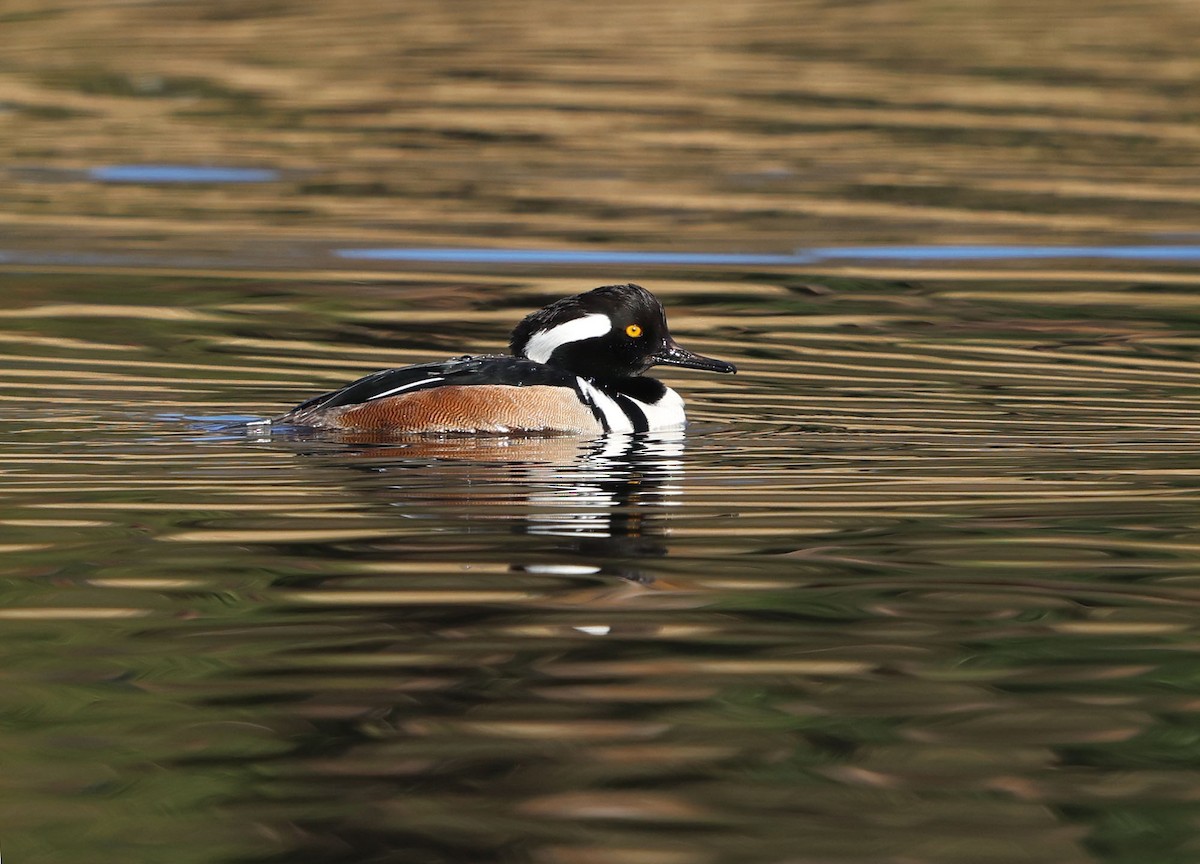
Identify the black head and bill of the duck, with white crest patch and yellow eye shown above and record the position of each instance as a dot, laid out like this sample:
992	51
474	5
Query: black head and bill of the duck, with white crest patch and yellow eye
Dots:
615	332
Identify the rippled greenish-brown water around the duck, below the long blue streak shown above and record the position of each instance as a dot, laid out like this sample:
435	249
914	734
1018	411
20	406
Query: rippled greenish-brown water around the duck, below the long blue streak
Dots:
921	579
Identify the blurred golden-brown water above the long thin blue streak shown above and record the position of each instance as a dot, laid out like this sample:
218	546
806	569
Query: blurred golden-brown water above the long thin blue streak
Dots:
698	127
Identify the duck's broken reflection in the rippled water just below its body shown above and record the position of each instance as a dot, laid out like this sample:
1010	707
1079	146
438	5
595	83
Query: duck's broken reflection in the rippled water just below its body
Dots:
597	506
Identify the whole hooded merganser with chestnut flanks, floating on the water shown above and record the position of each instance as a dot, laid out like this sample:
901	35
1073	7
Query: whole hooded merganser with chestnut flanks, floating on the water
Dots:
577	368
